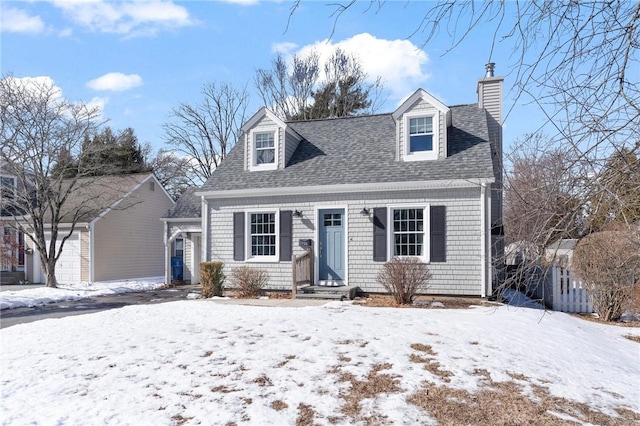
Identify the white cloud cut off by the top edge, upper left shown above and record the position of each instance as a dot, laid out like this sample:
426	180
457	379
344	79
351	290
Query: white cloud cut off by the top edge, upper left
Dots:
127	18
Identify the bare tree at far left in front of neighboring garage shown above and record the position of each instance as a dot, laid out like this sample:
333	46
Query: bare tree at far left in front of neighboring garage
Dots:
36	124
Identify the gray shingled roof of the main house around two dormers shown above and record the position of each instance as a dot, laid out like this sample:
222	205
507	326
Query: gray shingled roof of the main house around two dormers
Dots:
358	150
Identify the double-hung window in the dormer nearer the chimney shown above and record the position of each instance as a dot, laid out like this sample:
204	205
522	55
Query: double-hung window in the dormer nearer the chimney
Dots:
421	136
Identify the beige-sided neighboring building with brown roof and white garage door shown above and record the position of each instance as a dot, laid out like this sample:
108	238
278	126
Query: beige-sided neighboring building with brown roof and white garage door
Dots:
118	234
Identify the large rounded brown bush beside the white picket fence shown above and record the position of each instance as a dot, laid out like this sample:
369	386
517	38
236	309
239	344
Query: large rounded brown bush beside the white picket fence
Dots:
608	262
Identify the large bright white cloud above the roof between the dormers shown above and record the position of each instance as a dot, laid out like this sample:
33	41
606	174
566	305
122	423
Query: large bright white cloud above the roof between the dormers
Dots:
399	63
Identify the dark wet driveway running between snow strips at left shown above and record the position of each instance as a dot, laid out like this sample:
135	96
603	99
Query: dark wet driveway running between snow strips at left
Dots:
10	317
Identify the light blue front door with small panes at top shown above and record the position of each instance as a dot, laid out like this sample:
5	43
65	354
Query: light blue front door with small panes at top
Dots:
331	259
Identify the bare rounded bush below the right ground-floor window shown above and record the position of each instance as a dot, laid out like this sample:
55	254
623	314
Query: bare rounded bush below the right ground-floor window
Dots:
404	277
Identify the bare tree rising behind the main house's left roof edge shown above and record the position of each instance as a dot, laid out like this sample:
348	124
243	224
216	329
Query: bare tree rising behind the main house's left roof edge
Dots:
204	133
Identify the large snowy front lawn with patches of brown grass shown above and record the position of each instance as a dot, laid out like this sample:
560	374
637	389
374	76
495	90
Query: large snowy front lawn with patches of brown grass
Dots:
200	362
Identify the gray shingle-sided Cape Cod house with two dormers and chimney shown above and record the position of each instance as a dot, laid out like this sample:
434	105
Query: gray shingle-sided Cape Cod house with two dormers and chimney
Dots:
422	181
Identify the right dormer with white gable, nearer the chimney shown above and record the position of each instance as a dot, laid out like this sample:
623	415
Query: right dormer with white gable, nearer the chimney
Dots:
421	128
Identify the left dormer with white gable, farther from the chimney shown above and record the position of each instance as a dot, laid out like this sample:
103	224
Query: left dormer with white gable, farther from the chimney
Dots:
269	143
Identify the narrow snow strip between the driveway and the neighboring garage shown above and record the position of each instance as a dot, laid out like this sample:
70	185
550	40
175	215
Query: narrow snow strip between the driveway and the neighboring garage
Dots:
43	295
